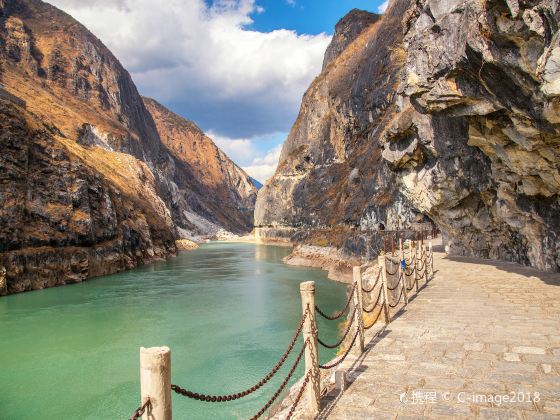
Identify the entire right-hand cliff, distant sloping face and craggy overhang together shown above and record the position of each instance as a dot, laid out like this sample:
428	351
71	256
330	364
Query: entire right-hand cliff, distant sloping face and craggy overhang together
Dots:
443	109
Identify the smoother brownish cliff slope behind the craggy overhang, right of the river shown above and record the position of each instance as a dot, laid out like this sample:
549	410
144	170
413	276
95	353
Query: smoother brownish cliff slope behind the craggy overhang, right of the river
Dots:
331	170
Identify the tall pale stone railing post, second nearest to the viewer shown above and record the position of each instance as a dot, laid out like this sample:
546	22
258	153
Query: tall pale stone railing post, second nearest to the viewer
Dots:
307	290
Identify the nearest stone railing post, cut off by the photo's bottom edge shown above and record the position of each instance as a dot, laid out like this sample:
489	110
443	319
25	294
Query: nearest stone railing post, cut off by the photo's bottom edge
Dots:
155	382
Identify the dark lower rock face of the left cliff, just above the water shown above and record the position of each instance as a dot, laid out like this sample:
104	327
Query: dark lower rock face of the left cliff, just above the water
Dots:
61	221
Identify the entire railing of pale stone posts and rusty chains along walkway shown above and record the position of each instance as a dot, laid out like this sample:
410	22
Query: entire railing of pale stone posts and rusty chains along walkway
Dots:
414	264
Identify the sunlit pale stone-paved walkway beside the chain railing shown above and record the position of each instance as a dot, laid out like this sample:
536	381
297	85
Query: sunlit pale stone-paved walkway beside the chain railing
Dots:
479	331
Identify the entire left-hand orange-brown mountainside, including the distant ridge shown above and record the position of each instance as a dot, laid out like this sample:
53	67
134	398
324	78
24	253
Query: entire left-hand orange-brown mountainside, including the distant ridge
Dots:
89	183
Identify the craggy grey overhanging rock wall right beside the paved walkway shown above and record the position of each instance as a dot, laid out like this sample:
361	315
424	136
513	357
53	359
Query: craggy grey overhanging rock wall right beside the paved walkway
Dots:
480	96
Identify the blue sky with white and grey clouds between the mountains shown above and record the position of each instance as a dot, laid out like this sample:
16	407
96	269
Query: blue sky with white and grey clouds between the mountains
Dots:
237	68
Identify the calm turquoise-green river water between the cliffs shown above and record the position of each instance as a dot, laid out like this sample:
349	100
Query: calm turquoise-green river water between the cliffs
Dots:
227	311
